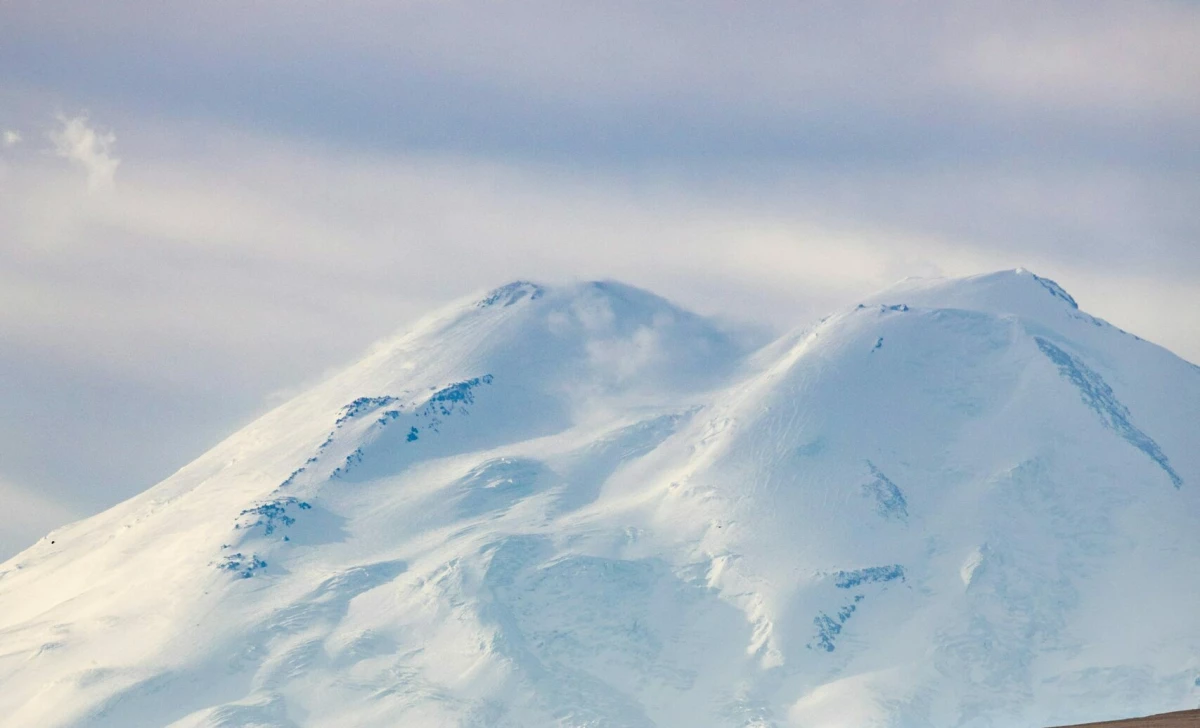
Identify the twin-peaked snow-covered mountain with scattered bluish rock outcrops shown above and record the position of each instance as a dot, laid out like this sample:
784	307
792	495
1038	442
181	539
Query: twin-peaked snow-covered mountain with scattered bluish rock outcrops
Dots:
961	503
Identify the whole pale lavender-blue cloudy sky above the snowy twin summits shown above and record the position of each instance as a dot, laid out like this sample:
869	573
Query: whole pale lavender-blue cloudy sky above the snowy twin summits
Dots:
207	207
